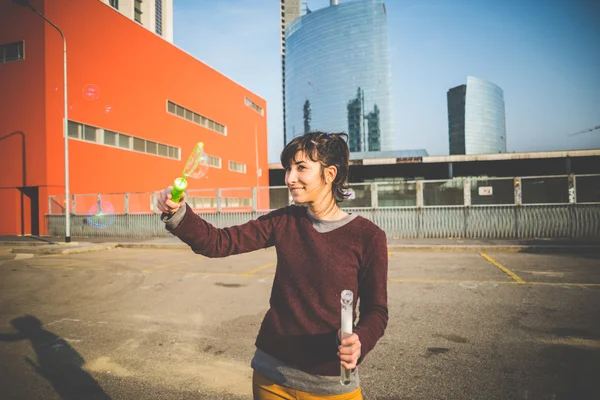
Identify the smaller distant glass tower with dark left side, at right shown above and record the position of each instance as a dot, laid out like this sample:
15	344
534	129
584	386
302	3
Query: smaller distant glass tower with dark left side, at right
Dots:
476	120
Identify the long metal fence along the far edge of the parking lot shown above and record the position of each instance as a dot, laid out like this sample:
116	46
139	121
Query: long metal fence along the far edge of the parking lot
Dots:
522	207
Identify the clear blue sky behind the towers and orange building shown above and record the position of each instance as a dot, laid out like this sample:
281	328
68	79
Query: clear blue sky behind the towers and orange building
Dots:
544	54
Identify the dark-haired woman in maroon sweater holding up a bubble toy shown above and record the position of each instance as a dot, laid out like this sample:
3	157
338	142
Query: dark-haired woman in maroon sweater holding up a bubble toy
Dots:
321	250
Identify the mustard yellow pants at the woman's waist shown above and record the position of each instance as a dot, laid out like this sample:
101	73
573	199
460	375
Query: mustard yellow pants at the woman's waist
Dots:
264	389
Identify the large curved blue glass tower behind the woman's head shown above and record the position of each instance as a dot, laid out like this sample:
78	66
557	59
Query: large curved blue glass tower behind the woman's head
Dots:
338	75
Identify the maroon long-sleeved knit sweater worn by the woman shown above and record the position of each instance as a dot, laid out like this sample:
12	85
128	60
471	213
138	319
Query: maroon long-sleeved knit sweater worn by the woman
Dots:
313	268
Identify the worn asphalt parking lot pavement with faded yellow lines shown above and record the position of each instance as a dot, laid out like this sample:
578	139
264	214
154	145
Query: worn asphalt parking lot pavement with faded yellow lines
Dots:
127	323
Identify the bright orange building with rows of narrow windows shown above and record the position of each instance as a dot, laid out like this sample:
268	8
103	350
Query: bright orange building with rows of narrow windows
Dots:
137	105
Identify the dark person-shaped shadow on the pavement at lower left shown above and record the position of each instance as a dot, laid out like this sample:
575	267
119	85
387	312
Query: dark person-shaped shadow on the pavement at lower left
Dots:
57	361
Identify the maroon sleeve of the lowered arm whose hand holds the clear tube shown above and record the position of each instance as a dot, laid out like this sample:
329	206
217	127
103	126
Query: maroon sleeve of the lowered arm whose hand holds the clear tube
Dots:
372	291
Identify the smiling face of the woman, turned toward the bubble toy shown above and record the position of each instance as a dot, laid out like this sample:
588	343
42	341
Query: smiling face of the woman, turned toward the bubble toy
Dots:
305	180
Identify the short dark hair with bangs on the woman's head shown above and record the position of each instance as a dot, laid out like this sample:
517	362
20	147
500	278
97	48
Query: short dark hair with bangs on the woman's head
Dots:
329	149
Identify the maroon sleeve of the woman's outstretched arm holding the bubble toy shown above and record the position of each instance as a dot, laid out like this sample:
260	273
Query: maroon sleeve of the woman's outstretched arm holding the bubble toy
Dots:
205	239
